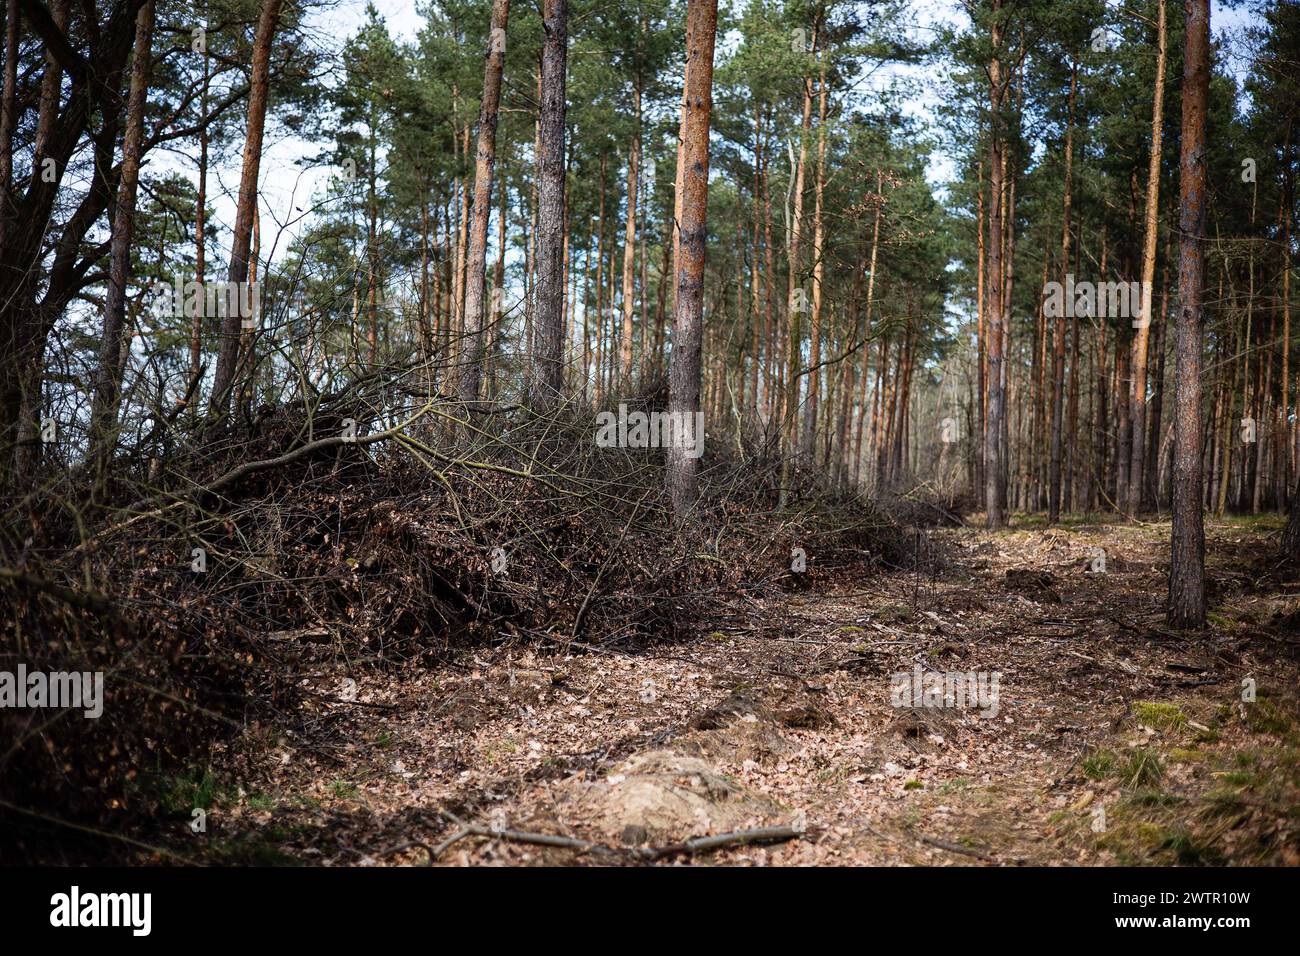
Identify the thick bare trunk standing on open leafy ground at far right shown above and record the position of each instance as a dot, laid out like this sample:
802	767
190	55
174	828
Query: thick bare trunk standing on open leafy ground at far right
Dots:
1188	543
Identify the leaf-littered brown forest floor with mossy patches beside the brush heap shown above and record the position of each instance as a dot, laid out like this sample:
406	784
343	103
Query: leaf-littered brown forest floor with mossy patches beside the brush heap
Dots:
1116	741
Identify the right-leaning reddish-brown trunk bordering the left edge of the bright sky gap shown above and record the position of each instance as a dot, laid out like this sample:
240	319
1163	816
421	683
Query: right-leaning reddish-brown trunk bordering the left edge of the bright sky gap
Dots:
241	241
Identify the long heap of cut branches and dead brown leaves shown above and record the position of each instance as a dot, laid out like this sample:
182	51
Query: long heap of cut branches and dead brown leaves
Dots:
209	582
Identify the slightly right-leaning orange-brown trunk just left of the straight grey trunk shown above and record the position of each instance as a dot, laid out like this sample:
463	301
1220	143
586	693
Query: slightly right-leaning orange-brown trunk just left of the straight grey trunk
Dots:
486	163
